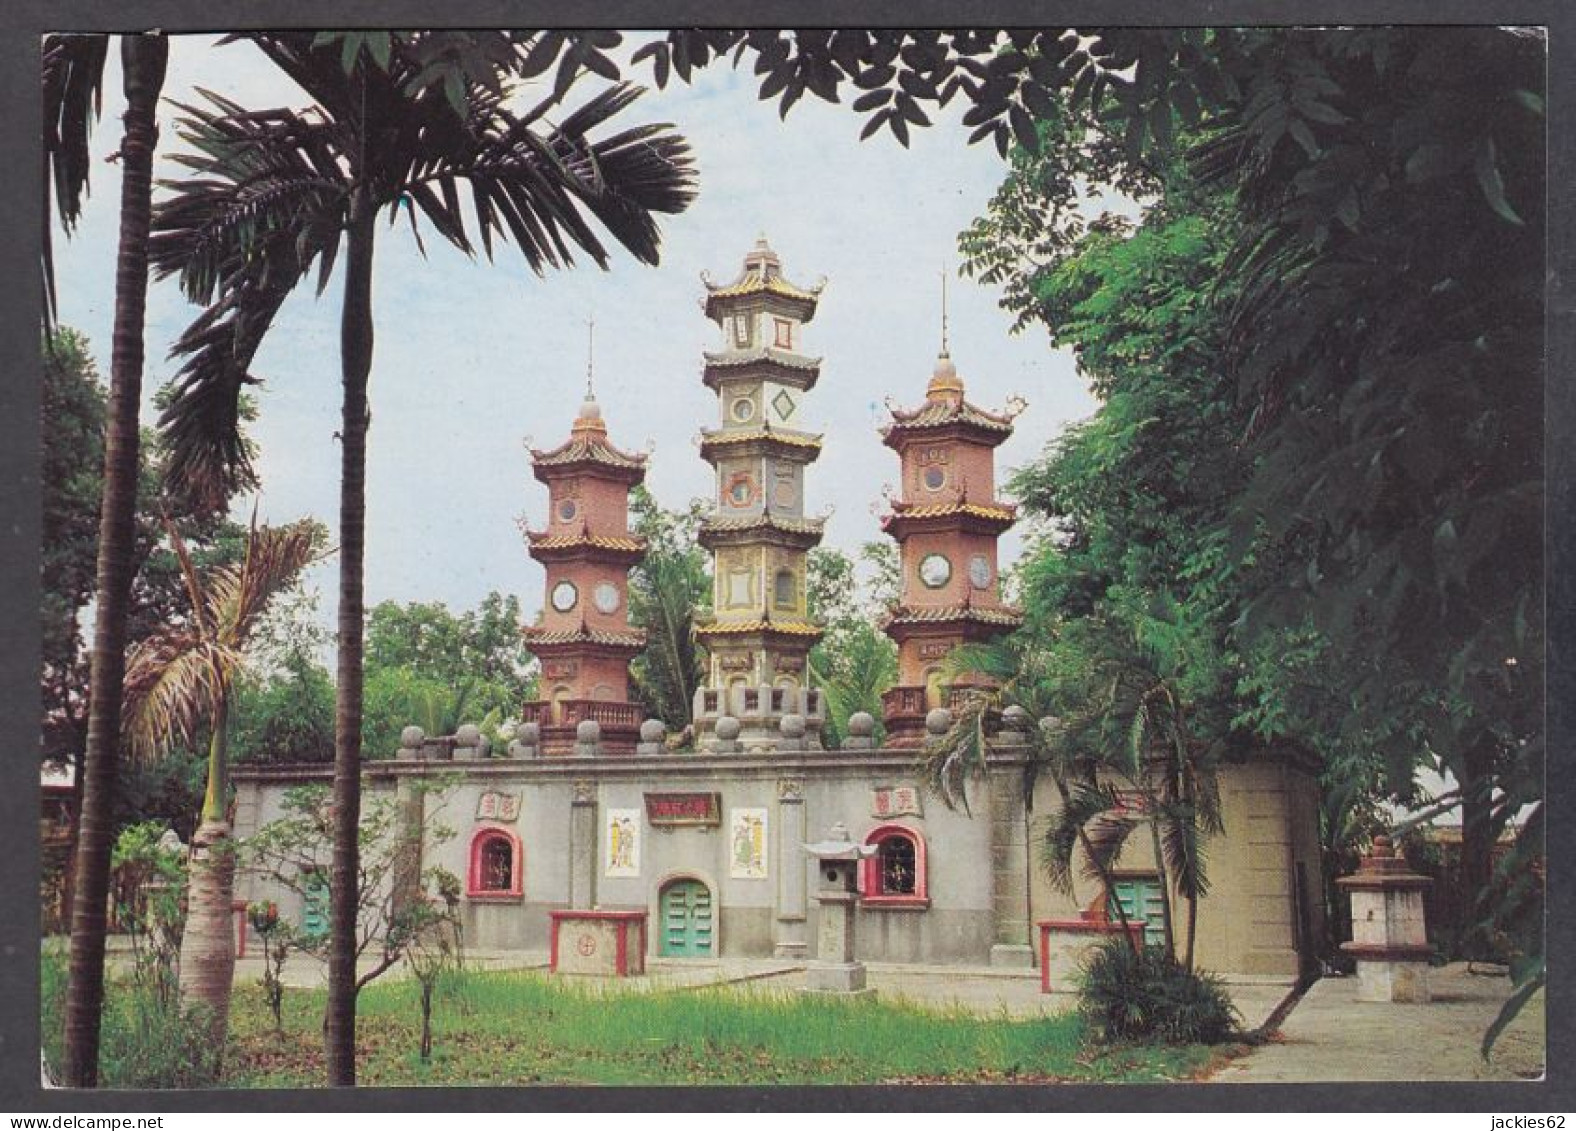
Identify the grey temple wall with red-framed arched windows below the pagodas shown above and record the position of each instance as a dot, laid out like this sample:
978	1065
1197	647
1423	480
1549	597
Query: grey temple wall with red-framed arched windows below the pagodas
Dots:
981	872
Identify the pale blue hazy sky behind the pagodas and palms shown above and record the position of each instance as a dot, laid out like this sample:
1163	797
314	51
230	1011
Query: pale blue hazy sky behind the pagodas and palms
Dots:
475	362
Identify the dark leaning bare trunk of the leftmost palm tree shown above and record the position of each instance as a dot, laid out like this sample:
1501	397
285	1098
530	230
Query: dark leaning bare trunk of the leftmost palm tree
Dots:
144	59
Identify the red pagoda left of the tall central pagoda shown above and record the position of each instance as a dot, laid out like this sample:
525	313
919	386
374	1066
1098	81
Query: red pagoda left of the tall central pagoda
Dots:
584	637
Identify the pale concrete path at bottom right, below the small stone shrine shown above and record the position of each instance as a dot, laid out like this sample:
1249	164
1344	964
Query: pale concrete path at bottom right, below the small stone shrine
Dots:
1334	1037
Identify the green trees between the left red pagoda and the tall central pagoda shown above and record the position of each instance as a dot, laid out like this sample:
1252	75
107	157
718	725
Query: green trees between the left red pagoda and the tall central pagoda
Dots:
666	590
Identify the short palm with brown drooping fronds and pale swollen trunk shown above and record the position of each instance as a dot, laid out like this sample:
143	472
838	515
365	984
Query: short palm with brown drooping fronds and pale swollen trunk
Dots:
179	684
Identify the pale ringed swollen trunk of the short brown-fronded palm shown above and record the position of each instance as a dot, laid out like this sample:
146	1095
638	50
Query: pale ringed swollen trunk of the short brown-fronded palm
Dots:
209	943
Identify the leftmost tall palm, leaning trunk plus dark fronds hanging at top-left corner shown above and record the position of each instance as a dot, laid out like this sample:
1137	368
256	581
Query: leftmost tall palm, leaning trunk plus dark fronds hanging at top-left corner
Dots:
73	80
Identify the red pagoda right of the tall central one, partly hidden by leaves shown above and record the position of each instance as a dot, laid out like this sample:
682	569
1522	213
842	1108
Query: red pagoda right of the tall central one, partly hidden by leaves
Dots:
946	525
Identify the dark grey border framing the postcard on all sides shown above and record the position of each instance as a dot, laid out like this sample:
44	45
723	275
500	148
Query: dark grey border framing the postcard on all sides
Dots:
21	26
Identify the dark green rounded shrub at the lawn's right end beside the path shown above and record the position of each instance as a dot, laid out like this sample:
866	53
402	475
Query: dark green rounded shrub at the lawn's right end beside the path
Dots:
1148	996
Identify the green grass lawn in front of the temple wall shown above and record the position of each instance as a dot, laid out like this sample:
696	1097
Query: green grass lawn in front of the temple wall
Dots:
524	1028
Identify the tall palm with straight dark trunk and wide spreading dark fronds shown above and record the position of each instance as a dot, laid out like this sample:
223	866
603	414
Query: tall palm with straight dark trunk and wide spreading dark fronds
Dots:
395	127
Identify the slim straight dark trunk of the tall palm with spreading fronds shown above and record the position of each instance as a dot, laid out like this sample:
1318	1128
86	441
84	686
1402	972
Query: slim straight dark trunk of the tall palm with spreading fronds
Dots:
355	346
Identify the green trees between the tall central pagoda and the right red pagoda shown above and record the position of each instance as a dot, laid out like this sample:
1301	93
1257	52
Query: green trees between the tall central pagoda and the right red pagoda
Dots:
855	662
